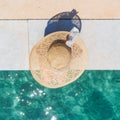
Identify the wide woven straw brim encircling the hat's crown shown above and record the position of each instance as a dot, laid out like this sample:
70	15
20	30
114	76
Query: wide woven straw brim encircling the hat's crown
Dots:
50	77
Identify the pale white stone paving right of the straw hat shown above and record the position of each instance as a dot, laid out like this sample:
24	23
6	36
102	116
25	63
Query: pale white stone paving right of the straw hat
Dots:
102	40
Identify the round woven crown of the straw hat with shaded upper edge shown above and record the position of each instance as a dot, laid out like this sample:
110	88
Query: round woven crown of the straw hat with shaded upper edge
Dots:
59	55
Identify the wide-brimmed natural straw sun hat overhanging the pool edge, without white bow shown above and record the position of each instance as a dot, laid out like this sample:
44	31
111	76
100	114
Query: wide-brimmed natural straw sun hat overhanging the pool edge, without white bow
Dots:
53	64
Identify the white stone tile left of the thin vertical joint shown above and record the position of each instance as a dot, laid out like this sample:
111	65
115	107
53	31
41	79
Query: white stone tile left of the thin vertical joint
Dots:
13	45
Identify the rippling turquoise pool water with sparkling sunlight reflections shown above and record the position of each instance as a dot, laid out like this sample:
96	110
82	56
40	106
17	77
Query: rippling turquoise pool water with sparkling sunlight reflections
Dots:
94	96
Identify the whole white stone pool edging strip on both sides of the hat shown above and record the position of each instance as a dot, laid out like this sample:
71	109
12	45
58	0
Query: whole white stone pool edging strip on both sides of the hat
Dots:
17	37
